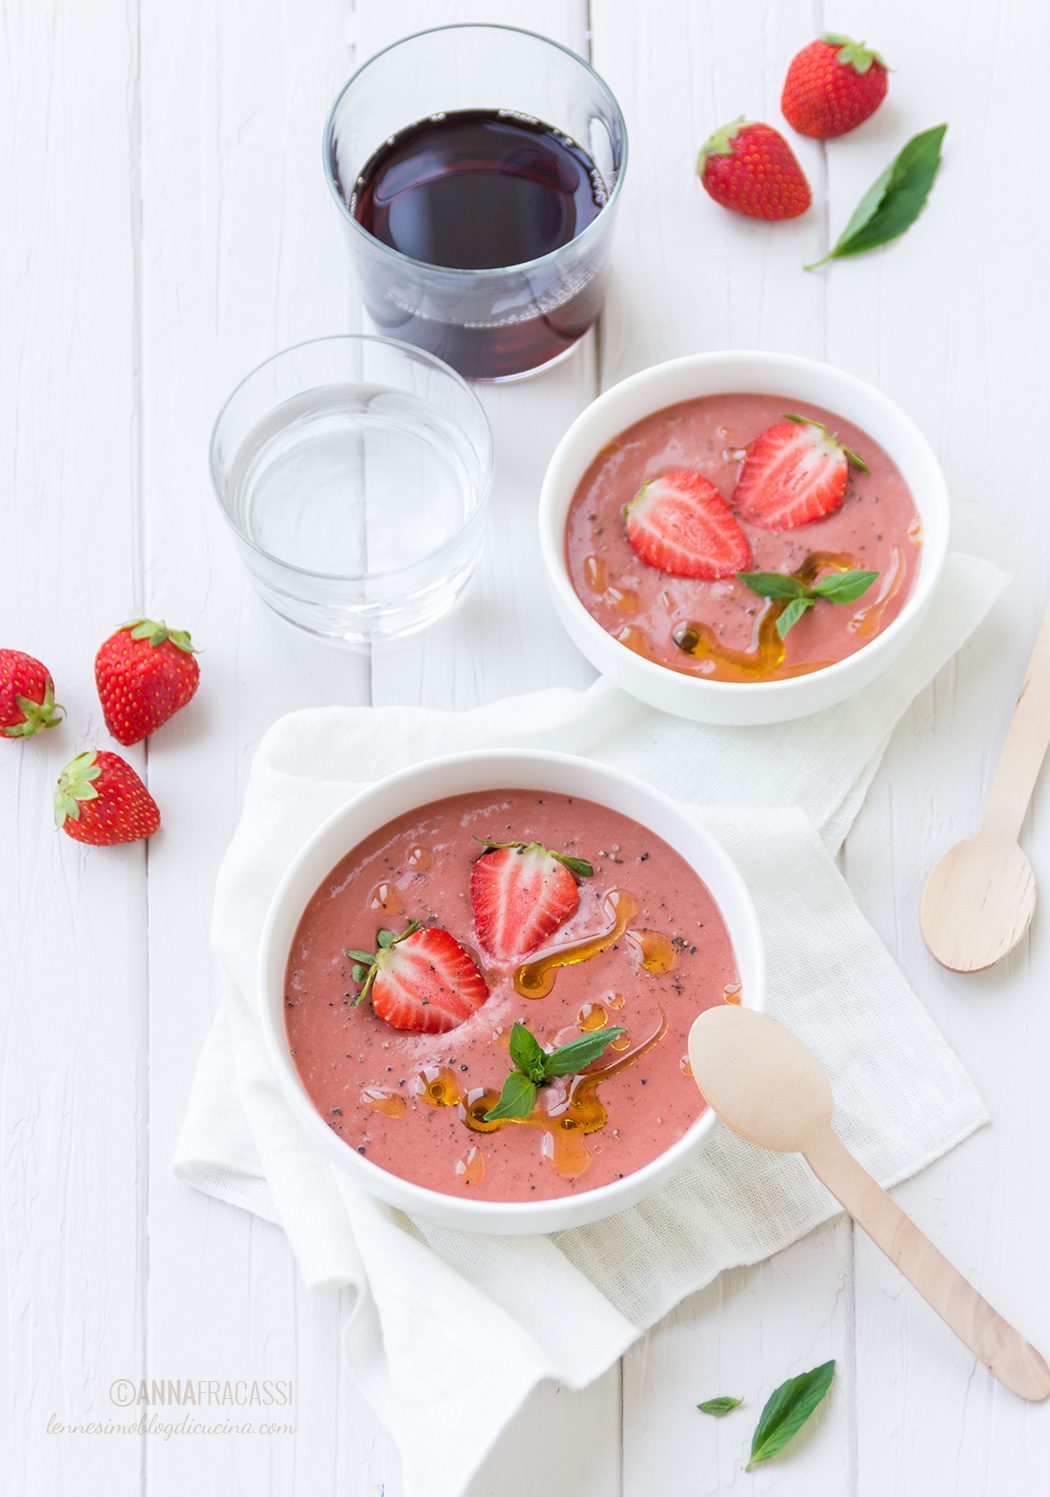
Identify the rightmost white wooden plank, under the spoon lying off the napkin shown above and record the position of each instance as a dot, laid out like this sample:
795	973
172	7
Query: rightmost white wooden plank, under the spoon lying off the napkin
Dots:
943	323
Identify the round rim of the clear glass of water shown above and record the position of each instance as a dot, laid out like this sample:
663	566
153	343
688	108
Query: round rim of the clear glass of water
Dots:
488	457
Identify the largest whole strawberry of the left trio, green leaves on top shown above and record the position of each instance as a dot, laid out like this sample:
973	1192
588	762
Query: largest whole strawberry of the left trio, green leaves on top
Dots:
145	674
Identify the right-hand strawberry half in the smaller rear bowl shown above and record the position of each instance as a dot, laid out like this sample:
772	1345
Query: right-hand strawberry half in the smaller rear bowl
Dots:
795	474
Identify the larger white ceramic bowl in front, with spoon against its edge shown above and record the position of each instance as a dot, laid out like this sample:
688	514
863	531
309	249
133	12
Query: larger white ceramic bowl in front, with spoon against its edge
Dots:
455	776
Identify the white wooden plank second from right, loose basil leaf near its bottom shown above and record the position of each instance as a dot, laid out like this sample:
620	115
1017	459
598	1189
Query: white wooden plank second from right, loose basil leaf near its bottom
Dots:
691	278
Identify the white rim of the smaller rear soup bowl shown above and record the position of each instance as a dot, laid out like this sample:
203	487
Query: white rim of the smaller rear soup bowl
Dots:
553	516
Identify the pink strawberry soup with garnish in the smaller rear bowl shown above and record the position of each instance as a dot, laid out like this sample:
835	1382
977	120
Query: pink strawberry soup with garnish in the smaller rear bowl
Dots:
744	538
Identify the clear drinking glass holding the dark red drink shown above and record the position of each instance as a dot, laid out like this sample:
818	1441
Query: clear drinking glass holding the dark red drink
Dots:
488	324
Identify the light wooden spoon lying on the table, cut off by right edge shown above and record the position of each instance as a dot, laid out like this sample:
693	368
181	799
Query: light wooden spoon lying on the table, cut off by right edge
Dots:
980	897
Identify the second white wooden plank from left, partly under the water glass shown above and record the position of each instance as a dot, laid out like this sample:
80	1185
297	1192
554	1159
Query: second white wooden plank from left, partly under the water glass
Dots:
242	257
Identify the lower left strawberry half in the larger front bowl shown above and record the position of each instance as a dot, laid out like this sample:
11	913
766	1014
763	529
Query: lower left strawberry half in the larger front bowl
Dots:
420	980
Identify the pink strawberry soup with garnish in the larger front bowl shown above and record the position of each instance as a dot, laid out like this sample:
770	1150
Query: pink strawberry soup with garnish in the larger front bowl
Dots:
492	995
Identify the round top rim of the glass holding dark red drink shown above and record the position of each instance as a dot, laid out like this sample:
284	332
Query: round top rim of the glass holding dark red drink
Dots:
453	272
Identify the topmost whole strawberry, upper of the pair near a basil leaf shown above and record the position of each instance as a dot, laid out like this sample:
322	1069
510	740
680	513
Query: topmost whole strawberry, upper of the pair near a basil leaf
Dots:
834	86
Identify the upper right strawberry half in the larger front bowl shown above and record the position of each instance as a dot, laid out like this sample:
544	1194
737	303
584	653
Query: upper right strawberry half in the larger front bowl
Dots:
521	894
